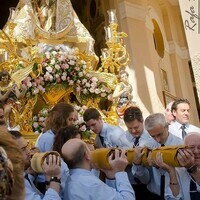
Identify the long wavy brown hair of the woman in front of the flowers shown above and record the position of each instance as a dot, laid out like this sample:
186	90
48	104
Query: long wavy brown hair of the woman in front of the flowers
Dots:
56	118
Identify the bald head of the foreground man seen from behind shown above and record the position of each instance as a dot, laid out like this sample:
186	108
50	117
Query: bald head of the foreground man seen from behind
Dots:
73	152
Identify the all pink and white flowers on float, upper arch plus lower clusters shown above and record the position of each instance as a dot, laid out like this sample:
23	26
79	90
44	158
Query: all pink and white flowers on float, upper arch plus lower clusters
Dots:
64	68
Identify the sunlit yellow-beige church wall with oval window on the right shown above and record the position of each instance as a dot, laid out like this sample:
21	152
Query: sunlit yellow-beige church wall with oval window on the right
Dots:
135	18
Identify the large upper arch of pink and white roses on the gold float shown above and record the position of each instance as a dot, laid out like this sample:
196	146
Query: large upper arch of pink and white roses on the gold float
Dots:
61	67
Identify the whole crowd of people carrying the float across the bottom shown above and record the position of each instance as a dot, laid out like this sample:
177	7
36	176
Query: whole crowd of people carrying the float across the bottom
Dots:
71	174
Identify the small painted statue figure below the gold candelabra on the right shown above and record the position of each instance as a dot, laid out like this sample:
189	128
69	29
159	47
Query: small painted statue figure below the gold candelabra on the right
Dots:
122	93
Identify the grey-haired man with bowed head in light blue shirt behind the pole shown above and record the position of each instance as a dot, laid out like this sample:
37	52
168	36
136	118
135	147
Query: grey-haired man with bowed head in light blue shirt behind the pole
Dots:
157	127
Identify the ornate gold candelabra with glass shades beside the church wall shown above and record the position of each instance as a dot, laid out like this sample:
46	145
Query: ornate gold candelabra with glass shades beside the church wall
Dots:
115	56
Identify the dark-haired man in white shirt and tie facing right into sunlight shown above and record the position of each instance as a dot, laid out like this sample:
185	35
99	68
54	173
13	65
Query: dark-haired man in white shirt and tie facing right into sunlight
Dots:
181	111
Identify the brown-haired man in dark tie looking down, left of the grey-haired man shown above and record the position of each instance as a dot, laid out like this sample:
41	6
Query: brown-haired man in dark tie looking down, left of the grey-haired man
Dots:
137	136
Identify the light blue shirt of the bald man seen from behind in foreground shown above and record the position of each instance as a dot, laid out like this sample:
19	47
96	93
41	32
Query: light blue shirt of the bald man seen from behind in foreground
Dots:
83	185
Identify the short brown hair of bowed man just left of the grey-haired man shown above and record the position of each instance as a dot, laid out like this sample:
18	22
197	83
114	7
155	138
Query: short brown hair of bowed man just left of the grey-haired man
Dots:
133	113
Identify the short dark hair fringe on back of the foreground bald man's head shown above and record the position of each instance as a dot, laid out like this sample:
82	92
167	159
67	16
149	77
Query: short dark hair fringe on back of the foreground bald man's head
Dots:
76	158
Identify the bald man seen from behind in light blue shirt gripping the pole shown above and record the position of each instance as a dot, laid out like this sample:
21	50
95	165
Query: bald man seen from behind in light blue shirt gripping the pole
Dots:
83	184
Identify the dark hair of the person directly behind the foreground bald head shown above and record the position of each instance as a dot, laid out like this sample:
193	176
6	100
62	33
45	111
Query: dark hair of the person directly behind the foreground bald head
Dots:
63	135
